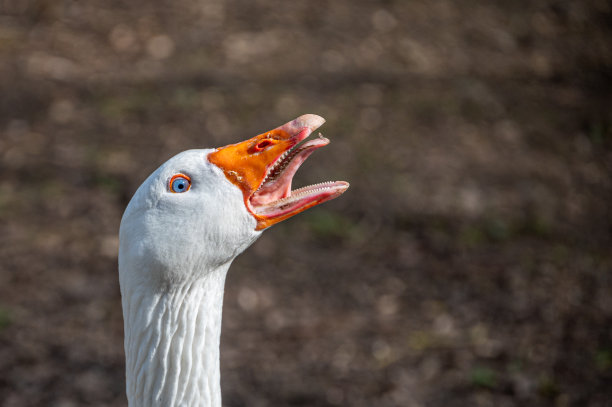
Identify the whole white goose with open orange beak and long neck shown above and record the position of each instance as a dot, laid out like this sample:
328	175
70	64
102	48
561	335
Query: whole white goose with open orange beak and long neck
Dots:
178	236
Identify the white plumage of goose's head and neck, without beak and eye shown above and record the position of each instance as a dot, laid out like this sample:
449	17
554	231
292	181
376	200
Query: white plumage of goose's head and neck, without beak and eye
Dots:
174	253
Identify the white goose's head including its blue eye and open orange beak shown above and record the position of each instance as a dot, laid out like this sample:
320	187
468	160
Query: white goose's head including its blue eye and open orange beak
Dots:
202	208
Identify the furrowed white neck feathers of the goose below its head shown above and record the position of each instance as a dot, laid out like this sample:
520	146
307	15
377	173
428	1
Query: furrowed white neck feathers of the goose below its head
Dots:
172	343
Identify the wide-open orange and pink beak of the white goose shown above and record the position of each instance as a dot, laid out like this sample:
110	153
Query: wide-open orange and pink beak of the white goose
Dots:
263	168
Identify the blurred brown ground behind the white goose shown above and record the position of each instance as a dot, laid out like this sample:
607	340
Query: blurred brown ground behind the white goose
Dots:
469	264
